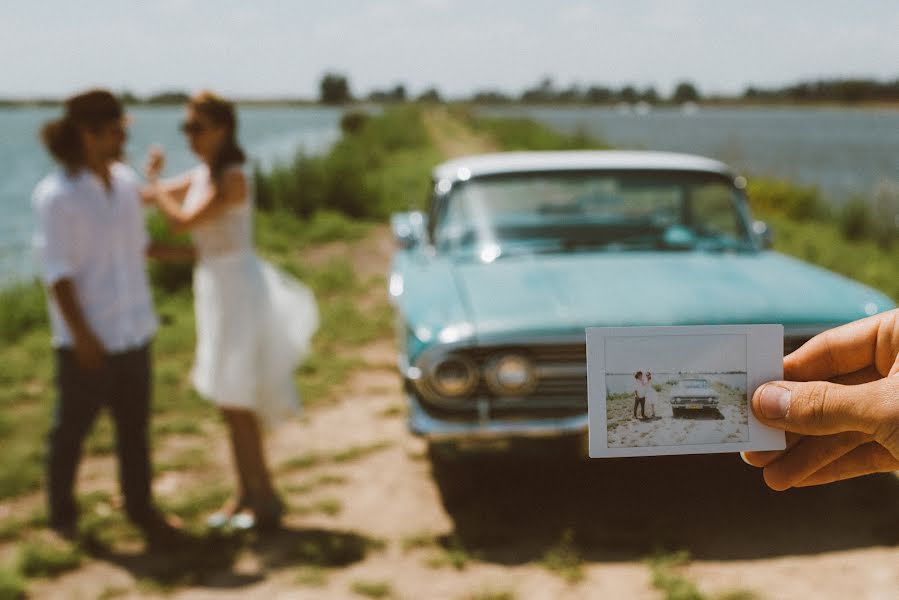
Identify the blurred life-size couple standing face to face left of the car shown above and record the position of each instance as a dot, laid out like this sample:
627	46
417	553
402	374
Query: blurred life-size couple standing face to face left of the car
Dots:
254	323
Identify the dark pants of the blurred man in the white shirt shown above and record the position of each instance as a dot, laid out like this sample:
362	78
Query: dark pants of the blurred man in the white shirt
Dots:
122	385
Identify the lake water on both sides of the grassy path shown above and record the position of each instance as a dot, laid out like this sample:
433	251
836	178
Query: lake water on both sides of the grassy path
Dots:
842	151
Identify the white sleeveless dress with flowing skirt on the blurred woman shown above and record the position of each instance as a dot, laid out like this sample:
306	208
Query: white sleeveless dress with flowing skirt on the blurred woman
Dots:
254	323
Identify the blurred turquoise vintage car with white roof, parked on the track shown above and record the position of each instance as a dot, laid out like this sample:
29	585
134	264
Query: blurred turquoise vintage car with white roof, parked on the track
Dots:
517	253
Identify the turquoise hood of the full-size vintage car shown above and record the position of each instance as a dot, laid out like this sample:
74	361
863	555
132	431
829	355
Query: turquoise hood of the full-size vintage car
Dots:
562	294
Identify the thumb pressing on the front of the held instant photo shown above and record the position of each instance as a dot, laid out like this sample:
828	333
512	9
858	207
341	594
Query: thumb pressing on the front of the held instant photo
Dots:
817	407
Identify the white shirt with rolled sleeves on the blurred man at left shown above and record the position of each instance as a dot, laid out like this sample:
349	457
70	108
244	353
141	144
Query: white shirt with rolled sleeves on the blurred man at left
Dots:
96	237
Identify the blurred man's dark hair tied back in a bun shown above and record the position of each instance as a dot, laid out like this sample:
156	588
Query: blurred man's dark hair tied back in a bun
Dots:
92	109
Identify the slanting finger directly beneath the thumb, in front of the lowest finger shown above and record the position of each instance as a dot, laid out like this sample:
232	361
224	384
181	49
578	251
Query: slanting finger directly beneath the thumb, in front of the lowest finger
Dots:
810	455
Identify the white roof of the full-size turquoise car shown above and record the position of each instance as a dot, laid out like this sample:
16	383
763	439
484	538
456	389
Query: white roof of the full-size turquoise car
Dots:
574	160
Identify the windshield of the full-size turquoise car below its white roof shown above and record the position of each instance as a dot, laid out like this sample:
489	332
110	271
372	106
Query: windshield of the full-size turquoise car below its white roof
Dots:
590	210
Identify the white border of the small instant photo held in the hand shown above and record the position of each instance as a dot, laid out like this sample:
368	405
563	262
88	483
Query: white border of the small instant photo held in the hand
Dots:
763	363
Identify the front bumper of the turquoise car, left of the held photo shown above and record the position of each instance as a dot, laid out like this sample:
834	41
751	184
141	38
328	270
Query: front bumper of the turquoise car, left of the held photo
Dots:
436	429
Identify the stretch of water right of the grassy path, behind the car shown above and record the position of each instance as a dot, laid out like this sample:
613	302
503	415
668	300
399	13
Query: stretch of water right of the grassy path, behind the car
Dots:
843	152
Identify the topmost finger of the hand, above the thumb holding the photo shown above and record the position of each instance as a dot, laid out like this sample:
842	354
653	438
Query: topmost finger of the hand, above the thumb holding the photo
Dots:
835	352
